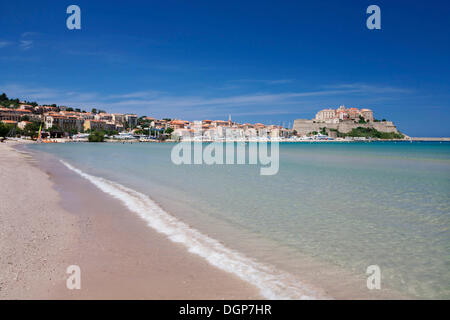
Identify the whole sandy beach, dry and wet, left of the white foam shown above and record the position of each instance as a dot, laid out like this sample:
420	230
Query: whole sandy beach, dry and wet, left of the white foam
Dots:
51	219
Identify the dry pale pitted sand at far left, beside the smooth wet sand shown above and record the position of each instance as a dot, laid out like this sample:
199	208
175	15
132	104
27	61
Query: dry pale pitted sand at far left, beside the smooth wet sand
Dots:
36	234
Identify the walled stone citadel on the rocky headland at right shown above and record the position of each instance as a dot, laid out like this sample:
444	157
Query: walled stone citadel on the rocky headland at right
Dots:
342	121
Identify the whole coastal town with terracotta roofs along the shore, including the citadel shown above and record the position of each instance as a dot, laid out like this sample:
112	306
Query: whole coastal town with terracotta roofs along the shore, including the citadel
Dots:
52	123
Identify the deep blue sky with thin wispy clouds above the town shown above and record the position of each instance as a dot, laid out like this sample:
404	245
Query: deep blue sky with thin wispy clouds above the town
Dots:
260	61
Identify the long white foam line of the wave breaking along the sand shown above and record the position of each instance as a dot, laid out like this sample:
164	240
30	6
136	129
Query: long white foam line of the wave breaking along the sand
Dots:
272	283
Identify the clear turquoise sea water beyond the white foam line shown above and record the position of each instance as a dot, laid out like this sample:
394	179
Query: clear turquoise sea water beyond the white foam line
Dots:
350	205
